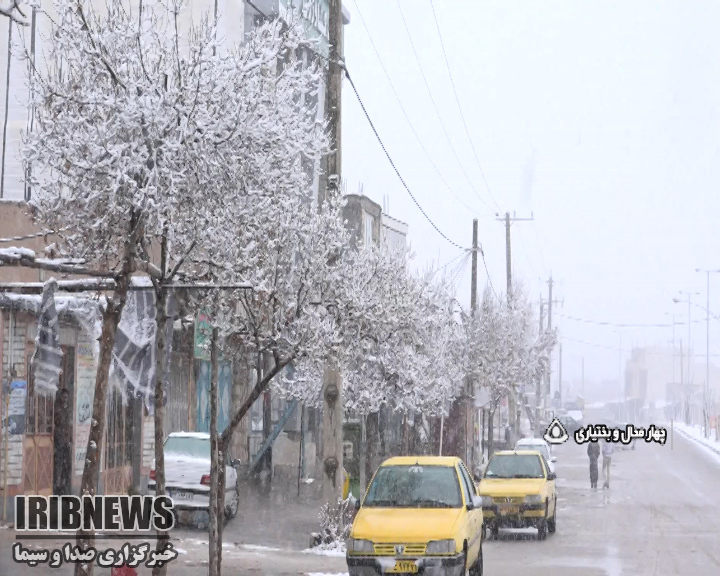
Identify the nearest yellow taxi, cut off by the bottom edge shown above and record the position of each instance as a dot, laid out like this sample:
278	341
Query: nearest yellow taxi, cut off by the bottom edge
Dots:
419	515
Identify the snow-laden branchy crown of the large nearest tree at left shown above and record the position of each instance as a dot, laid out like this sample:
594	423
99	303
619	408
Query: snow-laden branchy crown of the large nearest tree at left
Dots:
188	135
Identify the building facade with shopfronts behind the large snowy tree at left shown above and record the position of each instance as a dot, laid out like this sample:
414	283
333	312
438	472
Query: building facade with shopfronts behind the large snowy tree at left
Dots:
129	441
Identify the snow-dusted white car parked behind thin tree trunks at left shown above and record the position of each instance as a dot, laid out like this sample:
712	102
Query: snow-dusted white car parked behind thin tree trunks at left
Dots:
187	475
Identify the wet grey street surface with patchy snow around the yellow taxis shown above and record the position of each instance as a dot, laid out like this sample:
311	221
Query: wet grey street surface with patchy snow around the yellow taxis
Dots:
661	517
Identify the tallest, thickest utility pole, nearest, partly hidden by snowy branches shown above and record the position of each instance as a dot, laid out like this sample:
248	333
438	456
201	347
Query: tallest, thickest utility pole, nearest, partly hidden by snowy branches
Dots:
332	436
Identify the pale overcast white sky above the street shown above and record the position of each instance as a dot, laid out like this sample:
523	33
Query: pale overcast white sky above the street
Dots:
598	117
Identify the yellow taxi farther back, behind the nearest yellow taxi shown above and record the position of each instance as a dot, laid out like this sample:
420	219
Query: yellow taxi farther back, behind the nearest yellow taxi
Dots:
518	491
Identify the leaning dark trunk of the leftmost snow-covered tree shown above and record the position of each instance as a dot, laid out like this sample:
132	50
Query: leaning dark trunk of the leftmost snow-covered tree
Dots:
111	319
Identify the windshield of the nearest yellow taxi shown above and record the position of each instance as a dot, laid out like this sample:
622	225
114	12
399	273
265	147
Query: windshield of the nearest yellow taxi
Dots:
414	487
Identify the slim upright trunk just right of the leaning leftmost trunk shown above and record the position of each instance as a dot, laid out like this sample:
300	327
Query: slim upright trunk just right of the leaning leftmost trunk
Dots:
159	418
